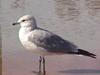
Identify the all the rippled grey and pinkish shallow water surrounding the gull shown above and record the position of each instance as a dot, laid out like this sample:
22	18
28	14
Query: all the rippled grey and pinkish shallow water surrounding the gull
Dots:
75	20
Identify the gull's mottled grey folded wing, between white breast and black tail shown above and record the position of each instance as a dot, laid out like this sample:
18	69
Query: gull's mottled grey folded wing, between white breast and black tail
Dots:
52	42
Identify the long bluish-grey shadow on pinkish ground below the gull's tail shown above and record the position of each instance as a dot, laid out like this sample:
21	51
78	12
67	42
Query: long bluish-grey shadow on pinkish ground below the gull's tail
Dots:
82	71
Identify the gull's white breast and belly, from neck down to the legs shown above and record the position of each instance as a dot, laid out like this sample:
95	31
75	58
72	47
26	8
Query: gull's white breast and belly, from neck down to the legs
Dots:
30	45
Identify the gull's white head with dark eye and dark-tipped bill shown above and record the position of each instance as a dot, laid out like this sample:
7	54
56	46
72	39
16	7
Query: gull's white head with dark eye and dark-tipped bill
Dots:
26	21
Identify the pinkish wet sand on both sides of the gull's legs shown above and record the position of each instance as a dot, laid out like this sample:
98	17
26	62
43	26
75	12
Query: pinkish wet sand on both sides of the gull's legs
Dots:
25	63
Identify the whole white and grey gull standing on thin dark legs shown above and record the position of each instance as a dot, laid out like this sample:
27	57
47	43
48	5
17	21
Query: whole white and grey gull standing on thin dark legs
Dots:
43	42
